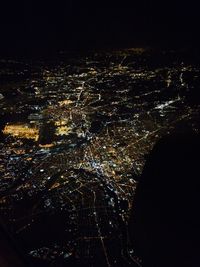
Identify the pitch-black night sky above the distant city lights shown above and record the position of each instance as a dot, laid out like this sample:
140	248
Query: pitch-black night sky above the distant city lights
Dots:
82	24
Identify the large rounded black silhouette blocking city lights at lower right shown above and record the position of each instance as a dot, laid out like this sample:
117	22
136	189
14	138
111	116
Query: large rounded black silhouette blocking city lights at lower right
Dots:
165	222
